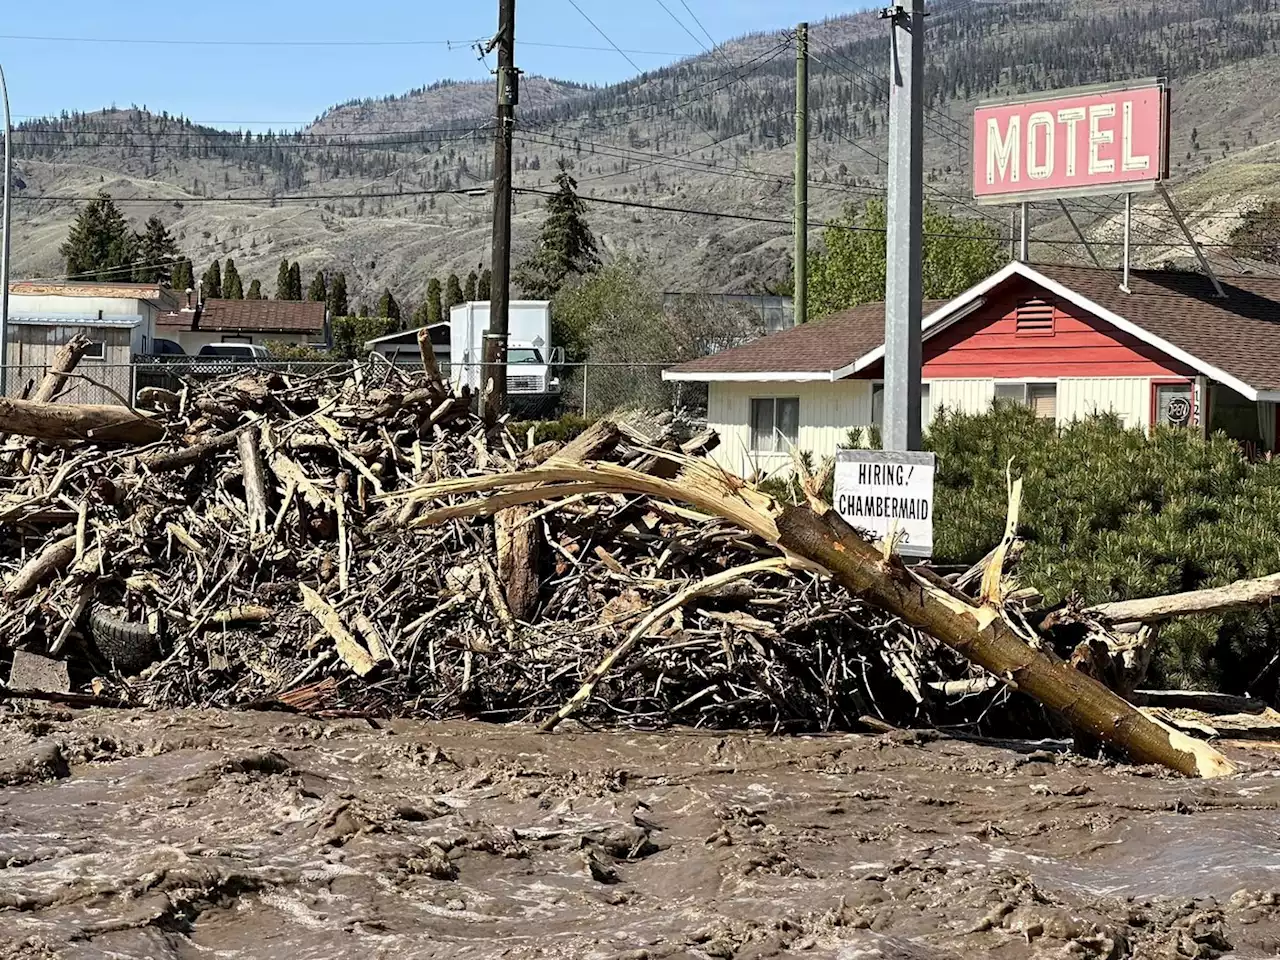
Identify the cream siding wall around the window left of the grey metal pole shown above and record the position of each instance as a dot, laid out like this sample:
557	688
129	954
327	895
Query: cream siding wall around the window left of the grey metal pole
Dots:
828	413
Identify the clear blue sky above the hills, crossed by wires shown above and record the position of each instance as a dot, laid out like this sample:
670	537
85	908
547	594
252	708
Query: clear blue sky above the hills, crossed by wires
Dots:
284	86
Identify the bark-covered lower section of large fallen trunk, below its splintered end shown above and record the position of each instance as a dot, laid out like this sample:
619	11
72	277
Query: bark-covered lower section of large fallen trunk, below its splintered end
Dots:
981	636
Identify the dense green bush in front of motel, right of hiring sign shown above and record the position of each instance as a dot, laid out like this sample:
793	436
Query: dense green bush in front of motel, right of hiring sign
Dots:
1110	514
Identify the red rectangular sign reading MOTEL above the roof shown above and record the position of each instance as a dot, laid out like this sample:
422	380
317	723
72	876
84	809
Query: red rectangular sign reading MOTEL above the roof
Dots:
1089	141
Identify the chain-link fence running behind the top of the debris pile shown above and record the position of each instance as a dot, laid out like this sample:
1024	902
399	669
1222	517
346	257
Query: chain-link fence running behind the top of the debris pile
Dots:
587	390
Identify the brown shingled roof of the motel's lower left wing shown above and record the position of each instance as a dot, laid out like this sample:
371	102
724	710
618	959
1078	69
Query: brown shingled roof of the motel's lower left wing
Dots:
817	348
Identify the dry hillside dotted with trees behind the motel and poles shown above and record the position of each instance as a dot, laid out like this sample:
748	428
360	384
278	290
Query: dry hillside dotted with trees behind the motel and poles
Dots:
394	191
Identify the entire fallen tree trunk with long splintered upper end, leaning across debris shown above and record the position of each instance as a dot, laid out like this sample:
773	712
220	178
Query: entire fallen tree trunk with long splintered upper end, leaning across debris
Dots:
828	542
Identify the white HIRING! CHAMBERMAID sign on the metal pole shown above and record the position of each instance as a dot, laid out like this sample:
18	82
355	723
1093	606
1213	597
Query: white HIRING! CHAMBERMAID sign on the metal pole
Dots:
883	491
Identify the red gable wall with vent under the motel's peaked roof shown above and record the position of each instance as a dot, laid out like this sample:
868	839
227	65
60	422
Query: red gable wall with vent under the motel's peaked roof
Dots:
986	345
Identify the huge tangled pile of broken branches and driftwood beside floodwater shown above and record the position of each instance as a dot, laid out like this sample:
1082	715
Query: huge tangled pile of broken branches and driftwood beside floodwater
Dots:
263	552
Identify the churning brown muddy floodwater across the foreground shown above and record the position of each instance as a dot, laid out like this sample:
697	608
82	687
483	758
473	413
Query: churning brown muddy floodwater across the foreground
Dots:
232	836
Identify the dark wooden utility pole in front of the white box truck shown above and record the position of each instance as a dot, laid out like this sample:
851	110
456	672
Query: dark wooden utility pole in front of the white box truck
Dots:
500	292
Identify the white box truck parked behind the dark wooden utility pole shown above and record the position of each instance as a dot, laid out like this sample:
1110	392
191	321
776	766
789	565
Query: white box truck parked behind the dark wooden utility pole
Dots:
531	356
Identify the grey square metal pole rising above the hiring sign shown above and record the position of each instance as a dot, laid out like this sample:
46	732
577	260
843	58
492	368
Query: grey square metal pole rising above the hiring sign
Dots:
906	209
